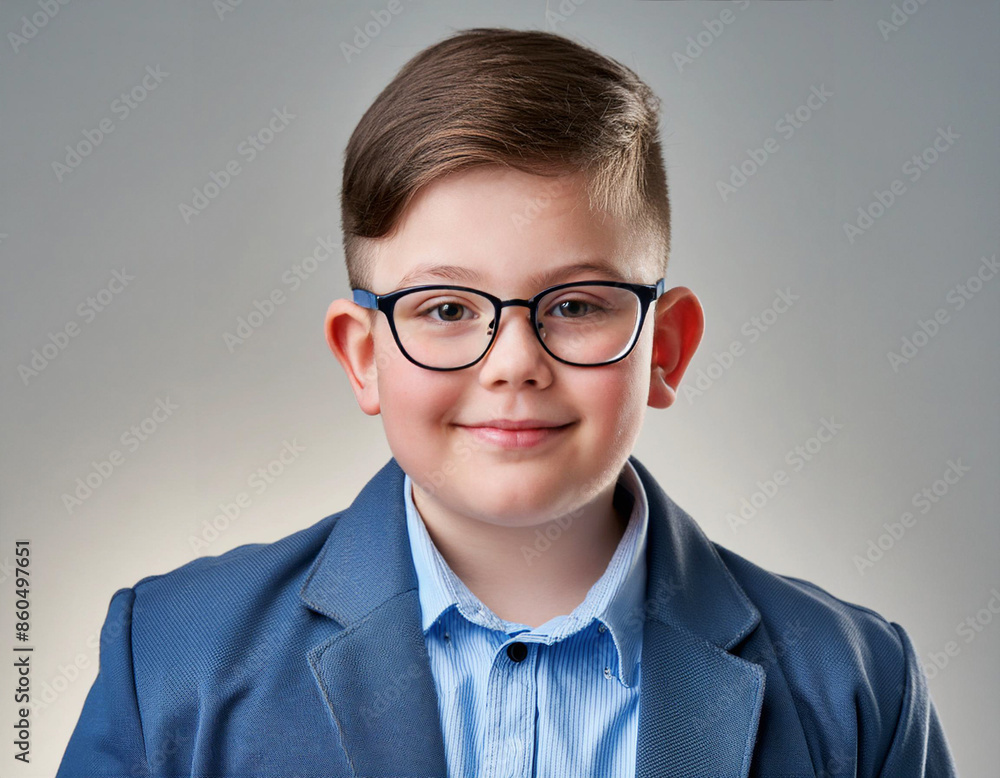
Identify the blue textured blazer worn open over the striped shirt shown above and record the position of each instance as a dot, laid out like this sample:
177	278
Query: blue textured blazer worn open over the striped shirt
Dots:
305	657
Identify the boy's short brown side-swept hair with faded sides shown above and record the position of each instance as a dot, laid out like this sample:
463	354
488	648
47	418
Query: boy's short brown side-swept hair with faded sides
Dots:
527	99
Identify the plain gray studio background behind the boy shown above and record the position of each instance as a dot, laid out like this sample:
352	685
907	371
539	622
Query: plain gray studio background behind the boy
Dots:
826	358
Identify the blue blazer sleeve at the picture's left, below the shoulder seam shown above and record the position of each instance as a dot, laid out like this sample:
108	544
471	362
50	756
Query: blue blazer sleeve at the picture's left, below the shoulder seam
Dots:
108	739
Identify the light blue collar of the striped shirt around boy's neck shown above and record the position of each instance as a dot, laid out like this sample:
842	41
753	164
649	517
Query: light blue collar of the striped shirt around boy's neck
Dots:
615	600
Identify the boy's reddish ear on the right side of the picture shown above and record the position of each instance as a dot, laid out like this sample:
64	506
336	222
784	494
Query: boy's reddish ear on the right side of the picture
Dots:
678	324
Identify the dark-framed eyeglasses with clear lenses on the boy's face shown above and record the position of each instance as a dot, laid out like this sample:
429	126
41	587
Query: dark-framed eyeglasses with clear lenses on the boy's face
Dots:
586	323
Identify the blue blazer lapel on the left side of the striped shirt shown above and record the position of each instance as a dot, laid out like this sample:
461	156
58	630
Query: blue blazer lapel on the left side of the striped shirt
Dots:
374	673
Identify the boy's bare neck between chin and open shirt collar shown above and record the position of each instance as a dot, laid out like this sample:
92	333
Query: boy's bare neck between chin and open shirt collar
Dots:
508	570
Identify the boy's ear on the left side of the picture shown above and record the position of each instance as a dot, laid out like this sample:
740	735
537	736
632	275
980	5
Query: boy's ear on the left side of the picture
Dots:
350	337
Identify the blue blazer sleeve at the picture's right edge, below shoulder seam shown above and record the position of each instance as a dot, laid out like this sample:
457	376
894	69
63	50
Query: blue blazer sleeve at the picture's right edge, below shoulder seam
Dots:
919	748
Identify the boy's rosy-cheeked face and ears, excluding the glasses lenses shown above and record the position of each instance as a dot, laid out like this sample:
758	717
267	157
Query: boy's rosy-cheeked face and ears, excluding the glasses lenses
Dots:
505	226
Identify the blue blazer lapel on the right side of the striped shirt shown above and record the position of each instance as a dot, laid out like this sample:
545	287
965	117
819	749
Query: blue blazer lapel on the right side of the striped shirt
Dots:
699	705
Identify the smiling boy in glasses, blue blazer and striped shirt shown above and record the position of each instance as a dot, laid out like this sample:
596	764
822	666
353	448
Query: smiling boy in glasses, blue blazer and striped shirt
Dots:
512	593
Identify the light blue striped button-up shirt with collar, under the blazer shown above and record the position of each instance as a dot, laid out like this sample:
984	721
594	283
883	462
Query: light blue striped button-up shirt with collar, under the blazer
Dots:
561	699
